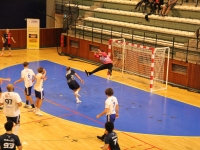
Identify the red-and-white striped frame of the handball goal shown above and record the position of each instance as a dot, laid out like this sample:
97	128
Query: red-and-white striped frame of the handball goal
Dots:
154	67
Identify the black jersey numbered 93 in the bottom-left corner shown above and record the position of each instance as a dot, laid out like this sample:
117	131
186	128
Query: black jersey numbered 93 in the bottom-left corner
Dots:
9	141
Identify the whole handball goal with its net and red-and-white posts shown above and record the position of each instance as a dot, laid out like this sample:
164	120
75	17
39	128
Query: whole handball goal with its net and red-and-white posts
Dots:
141	63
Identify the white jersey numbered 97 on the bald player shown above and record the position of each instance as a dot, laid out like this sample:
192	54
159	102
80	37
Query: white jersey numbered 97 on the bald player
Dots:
10	101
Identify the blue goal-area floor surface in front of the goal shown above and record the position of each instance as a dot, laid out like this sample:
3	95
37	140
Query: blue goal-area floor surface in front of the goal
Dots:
140	111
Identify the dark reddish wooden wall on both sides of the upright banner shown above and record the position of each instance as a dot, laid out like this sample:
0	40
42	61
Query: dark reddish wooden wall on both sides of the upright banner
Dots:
48	37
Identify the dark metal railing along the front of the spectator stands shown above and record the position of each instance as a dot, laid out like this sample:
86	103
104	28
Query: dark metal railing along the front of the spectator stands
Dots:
189	50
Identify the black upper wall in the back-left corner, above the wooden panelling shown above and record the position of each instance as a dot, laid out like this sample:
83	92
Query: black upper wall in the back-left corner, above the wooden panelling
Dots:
14	12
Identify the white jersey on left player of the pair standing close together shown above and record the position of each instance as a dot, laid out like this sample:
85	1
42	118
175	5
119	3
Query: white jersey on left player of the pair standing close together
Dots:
27	74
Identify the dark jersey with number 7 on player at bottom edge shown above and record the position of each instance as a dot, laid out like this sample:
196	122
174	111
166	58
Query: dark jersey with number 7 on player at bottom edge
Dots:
112	140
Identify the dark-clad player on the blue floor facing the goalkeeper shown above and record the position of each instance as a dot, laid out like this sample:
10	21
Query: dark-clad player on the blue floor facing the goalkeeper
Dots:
73	84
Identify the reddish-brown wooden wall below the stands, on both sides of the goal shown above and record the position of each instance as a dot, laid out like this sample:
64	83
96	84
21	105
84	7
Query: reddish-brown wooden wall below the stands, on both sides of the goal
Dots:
180	73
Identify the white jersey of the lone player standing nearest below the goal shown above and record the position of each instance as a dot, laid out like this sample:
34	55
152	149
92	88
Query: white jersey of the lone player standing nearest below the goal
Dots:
111	103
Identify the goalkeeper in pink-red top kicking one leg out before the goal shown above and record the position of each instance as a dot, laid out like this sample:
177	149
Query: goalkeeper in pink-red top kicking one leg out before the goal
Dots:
107	63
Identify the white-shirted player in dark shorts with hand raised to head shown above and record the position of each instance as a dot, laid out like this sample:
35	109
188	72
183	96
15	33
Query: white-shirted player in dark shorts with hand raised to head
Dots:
39	91
